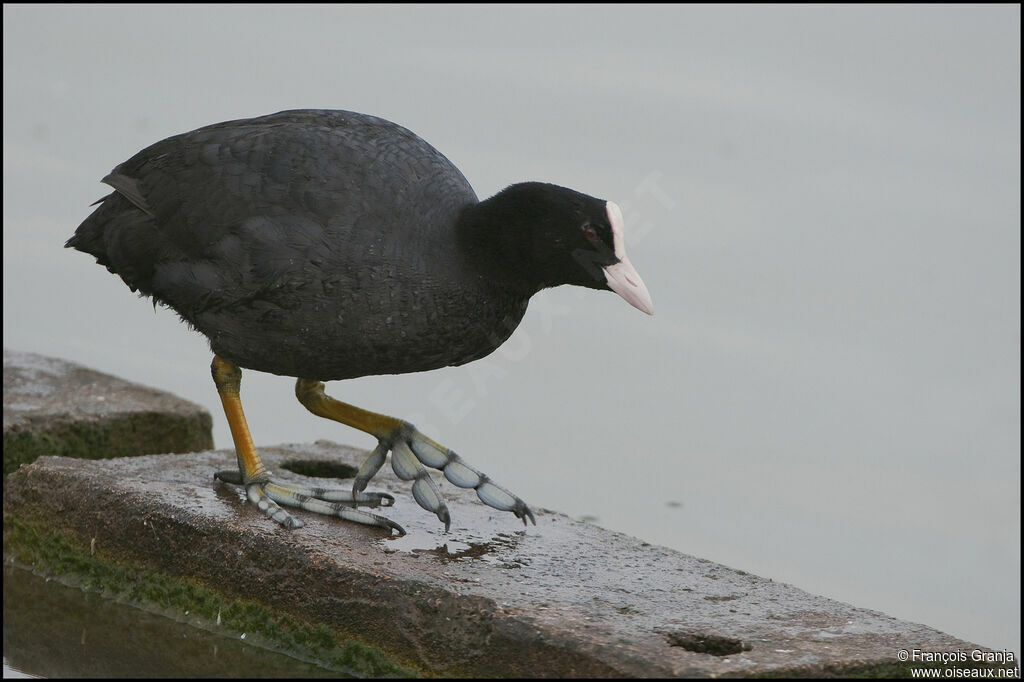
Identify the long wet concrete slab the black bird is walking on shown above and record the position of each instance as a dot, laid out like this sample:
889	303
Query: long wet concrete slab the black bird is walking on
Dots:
490	599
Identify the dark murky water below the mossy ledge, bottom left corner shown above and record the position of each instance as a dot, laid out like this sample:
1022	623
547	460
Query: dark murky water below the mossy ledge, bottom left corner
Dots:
51	630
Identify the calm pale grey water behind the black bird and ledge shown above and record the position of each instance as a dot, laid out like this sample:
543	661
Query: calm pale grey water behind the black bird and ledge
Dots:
824	202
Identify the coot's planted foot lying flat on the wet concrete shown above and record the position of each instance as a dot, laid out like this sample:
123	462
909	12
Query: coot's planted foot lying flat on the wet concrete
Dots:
269	495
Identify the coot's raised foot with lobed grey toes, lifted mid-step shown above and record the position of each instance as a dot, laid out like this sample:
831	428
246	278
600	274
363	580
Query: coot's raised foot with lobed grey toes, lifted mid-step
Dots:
411	452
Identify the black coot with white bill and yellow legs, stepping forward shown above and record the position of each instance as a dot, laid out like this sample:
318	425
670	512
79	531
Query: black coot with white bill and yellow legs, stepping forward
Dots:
330	245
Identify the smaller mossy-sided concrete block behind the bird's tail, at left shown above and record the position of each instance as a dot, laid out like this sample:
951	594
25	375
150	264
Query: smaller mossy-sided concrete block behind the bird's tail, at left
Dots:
53	407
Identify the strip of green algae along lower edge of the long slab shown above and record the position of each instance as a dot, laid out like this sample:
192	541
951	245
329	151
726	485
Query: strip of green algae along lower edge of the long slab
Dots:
58	556
